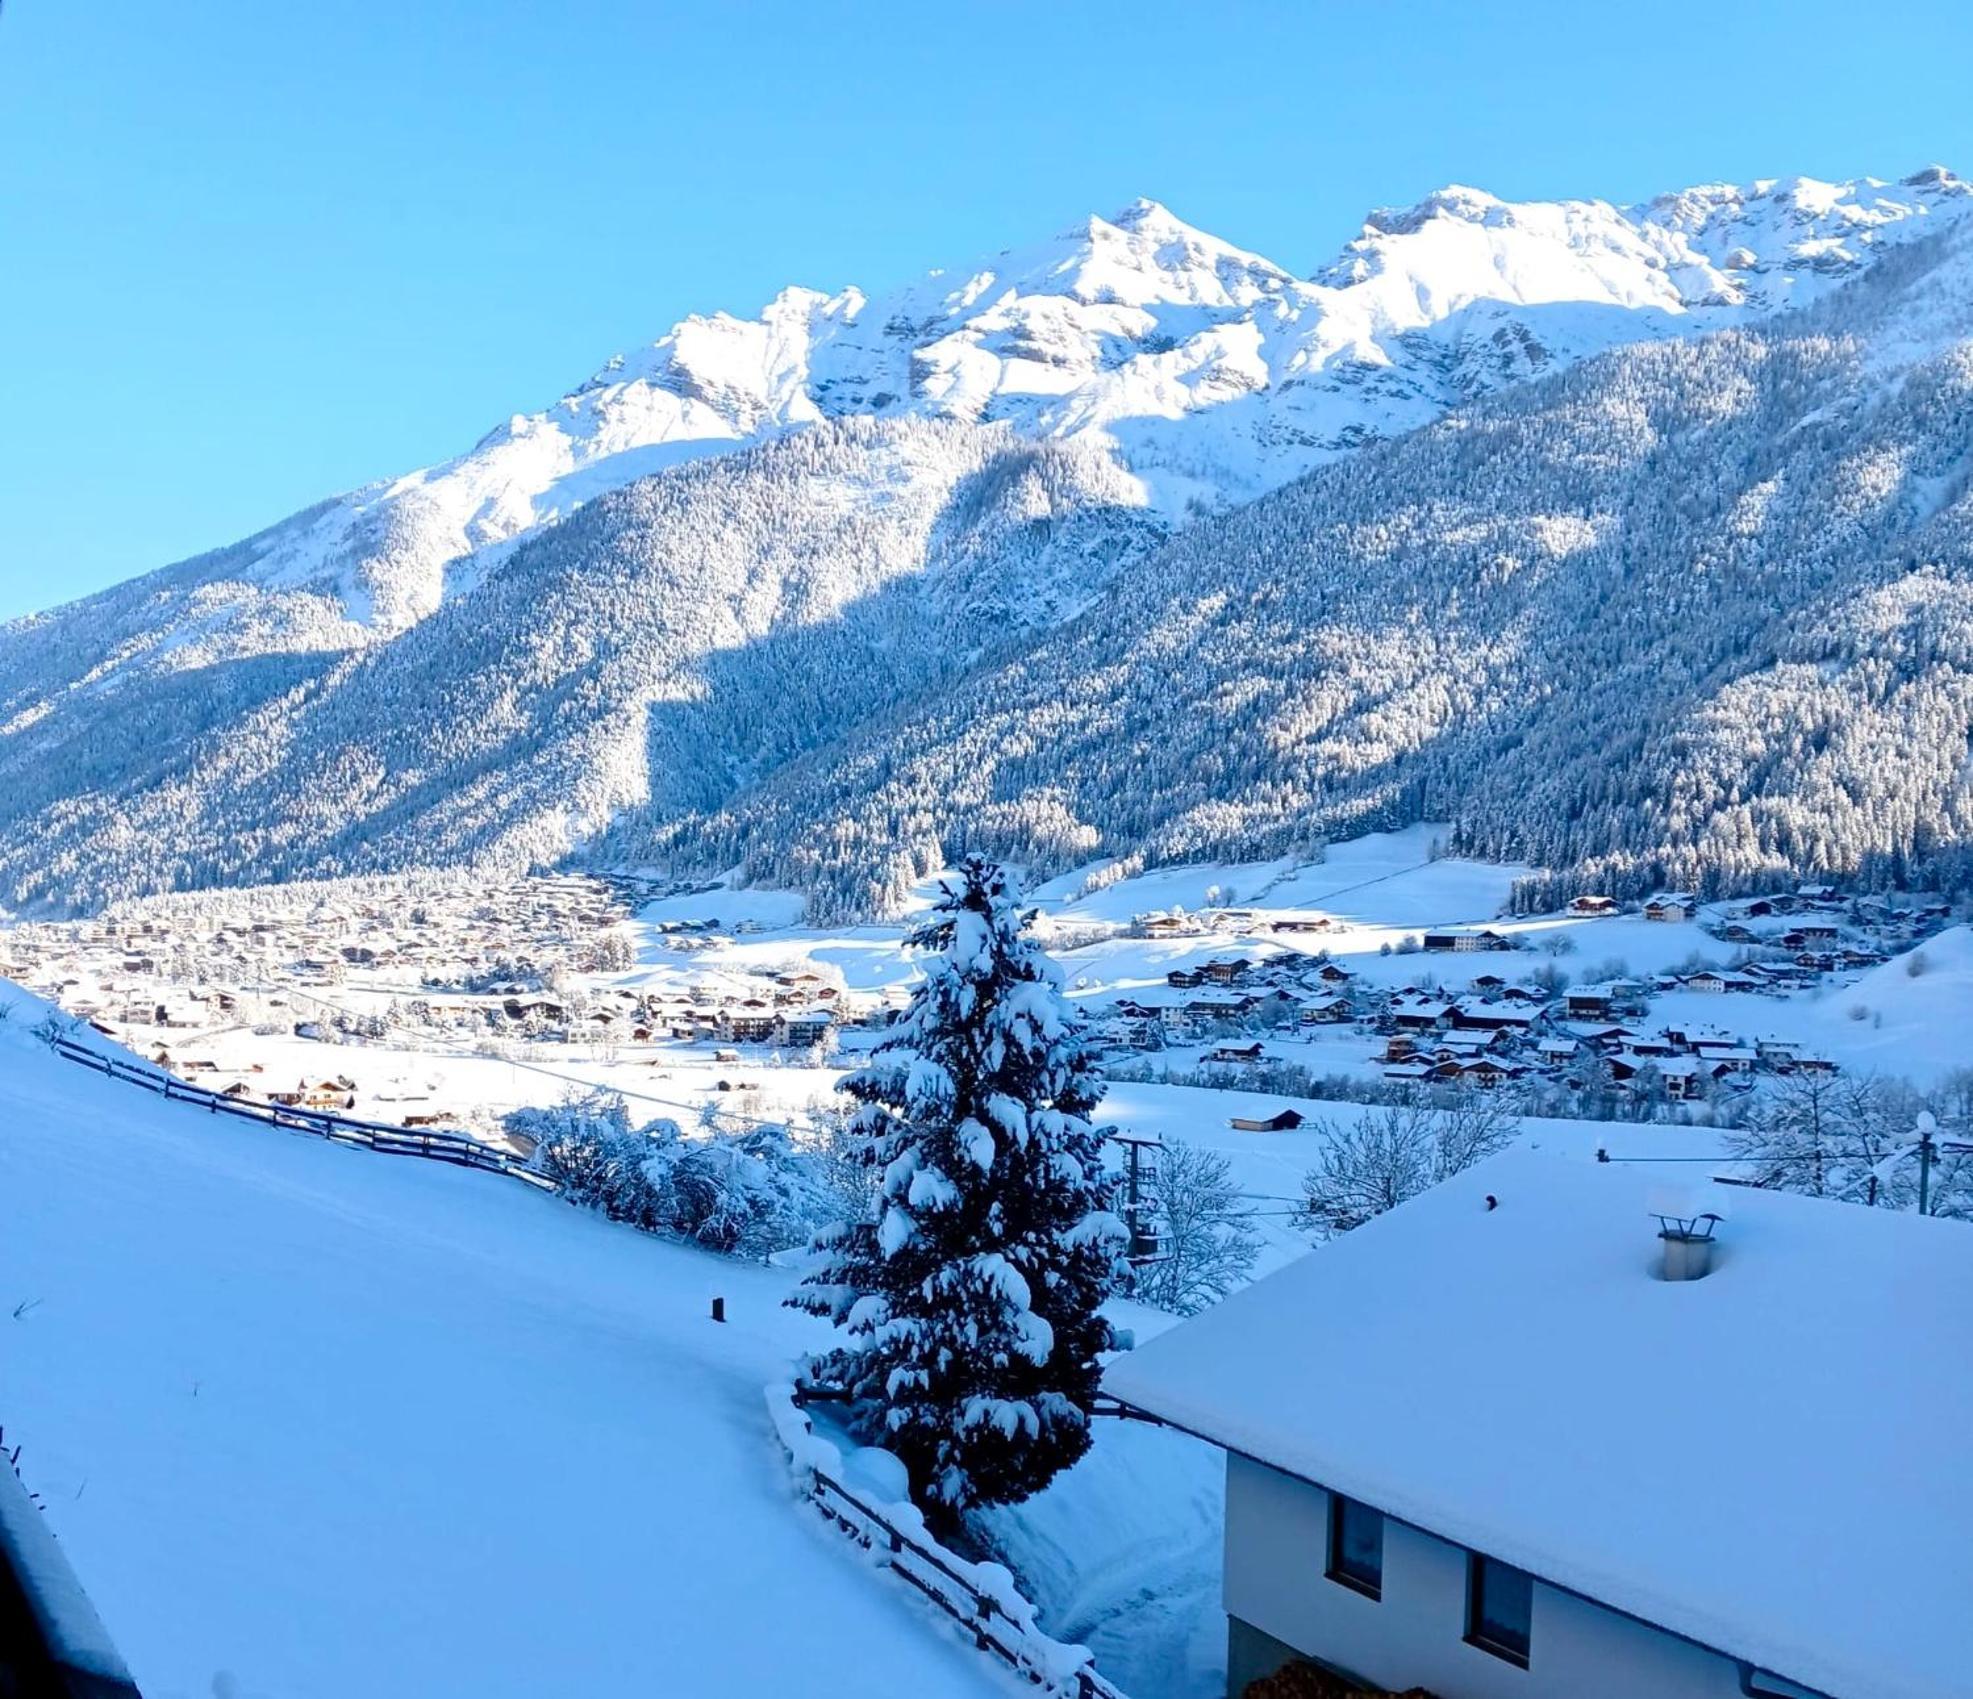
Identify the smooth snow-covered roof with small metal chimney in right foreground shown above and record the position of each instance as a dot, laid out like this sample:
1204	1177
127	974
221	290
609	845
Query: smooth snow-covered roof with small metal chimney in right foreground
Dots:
1767	1461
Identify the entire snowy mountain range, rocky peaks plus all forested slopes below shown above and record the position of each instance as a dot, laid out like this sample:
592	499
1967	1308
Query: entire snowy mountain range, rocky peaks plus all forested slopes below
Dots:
1635	542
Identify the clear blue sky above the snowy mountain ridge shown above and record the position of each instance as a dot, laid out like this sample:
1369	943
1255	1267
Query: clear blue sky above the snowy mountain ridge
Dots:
257	254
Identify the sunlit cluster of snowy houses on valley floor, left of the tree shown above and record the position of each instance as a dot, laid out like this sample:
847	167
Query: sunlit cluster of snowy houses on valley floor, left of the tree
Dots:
528	960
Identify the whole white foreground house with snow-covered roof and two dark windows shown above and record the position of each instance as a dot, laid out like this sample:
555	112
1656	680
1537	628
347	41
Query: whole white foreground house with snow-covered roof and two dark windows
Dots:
1422	1528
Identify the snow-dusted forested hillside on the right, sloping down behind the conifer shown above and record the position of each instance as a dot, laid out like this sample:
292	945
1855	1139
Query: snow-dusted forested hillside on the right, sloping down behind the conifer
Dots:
1694	613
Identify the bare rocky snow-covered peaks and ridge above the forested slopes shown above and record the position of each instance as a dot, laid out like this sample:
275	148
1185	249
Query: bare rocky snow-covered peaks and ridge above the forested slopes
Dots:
1210	372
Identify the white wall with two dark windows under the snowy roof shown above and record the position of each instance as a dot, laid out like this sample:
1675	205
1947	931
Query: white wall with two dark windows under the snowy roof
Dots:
1278	1546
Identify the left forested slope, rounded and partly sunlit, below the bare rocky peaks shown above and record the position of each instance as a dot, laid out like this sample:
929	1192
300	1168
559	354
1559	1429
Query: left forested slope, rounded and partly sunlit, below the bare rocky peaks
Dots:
670	640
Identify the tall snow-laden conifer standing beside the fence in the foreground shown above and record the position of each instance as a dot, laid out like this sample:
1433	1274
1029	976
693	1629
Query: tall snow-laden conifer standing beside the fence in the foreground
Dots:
972	1292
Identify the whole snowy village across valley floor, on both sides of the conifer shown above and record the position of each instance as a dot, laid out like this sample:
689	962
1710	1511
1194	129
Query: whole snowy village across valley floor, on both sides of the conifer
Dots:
1380	968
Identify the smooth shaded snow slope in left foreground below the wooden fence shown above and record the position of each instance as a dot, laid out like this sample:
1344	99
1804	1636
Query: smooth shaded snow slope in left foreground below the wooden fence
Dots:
319	1424
